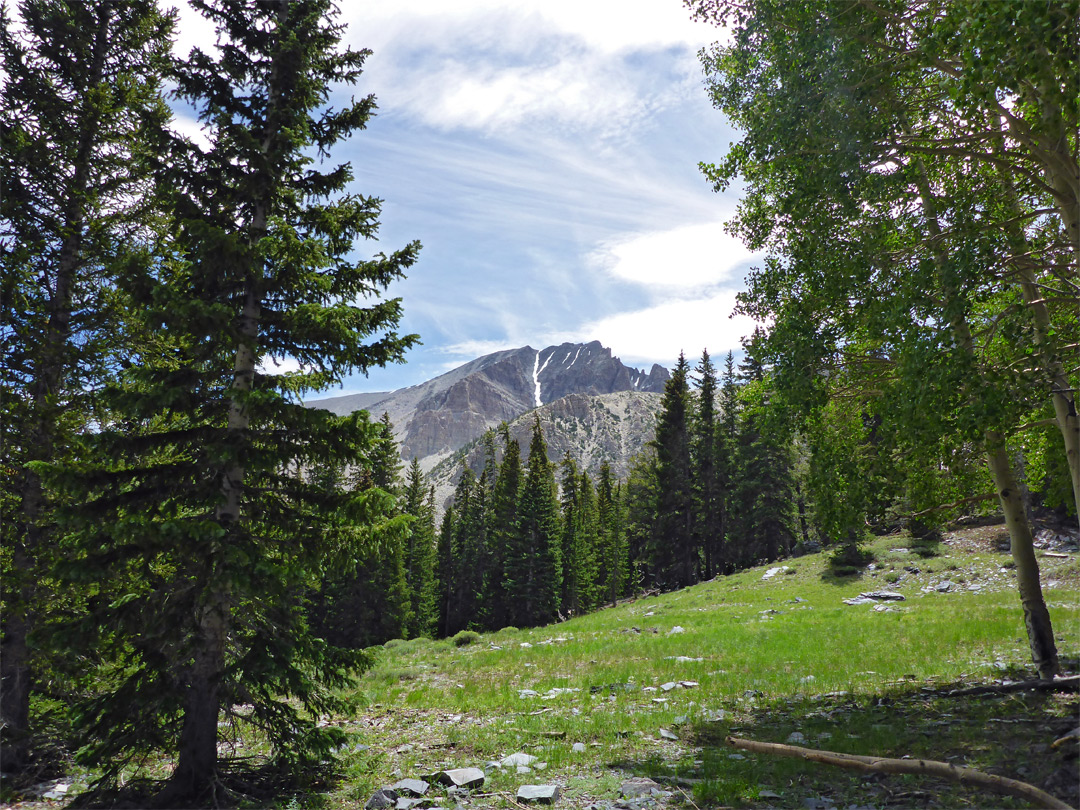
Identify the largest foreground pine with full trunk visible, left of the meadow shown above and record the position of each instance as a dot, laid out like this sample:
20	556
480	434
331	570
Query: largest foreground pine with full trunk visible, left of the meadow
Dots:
207	489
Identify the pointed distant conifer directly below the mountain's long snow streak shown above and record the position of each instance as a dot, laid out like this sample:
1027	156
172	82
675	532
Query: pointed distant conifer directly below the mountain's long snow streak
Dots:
534	564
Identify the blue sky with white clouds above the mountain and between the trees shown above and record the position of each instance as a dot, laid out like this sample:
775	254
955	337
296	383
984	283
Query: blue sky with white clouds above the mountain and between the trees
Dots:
546	154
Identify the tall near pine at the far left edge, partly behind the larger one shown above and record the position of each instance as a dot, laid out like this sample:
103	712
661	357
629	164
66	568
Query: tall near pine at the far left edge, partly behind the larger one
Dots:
82	84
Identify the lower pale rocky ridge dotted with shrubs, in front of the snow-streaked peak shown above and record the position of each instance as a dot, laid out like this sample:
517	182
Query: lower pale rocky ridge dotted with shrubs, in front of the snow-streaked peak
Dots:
593	428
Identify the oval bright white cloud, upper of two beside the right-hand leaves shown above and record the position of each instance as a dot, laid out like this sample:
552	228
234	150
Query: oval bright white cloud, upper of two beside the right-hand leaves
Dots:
688	256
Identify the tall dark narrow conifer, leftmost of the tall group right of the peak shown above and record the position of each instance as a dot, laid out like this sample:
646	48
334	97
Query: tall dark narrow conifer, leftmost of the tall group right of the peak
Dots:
674	553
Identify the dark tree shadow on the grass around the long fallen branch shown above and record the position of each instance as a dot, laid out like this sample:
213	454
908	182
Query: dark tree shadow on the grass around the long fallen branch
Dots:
1008	735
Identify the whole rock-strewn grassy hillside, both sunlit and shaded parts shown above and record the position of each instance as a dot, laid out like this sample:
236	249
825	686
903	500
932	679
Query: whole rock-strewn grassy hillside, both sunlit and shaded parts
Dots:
769	658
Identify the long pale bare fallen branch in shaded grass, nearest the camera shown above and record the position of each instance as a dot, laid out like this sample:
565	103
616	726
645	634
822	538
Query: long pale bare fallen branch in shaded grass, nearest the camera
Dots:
926	767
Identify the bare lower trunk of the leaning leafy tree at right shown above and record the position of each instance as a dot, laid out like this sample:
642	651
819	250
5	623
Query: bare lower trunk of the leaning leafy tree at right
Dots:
1041	633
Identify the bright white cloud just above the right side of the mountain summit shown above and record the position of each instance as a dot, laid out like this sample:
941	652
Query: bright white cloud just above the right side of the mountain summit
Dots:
658	334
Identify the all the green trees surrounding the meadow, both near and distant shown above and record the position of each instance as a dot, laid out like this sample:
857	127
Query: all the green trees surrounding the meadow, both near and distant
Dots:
191	555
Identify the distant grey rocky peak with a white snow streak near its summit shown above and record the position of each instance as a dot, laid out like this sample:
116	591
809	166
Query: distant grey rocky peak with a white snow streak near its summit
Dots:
439	417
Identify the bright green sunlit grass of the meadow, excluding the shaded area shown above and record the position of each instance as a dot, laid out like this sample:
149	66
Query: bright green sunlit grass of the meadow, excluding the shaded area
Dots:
786	641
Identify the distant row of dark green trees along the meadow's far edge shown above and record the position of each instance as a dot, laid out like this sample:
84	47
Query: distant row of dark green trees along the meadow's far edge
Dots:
726	483
